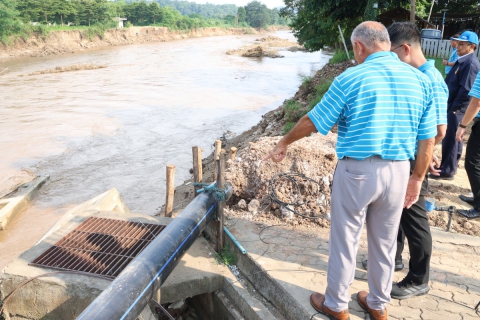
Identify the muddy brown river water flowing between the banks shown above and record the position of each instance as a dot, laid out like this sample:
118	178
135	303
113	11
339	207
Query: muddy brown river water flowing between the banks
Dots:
119	126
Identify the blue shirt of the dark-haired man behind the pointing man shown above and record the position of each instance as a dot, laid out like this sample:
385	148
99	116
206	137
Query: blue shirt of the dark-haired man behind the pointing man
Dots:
440	90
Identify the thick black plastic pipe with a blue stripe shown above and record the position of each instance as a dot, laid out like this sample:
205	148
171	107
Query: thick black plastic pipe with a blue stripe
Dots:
133	289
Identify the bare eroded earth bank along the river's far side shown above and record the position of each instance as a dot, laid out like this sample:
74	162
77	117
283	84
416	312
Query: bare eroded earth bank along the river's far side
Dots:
60	42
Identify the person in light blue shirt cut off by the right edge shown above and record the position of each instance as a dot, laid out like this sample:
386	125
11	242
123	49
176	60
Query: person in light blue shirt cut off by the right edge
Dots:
472	155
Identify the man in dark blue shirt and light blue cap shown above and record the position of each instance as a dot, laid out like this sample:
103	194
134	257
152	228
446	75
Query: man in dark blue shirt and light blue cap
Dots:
459	81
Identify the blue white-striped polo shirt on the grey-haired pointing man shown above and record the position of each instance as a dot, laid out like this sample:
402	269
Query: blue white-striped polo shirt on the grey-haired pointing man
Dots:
382	107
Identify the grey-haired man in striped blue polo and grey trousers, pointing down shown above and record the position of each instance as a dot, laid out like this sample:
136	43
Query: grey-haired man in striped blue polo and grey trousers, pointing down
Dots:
382	107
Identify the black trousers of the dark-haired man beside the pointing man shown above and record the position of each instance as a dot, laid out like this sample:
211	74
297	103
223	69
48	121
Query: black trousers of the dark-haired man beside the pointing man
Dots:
415	227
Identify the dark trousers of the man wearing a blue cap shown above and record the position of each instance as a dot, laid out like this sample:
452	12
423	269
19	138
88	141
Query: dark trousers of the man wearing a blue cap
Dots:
451	148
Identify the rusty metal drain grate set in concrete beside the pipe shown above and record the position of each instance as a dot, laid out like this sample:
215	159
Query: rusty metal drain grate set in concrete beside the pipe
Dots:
99	246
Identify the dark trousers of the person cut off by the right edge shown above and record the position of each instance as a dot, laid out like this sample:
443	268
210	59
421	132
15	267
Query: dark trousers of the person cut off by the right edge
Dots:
472	163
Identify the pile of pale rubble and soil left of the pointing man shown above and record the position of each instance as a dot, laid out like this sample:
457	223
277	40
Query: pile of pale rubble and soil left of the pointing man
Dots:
265	189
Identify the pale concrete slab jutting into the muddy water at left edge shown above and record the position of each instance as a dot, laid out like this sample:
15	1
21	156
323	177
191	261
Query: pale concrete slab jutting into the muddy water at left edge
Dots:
16	201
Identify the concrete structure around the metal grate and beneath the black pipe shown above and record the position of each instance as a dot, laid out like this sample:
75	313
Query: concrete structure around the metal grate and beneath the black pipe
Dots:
64	296
